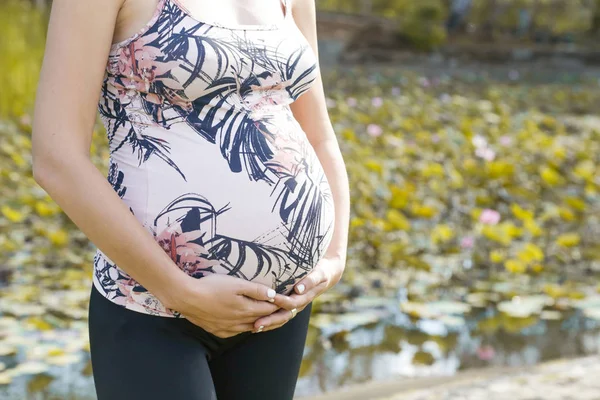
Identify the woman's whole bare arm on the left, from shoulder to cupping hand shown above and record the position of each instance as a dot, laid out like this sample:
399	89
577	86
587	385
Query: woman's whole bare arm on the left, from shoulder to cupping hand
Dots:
78	43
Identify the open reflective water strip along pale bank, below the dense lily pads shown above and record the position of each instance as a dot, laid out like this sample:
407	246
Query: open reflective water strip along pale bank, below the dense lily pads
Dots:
395	347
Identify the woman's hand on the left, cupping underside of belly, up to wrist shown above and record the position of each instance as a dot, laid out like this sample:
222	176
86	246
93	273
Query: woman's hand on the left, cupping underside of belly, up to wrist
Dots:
224	305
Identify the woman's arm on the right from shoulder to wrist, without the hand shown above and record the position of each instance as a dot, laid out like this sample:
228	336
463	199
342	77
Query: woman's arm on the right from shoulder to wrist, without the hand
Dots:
310	109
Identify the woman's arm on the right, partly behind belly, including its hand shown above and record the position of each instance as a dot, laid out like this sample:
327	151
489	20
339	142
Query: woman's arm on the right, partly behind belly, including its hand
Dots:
310	109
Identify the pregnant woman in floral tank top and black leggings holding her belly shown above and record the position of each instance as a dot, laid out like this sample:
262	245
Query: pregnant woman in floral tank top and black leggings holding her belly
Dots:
225	210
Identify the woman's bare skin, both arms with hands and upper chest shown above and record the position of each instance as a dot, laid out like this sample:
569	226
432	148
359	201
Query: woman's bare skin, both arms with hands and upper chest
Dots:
79	37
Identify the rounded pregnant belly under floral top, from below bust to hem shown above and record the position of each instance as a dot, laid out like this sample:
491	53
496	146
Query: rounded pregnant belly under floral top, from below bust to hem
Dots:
268	222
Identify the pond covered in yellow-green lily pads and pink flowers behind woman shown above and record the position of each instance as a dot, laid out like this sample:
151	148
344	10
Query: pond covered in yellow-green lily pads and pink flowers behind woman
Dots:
475	235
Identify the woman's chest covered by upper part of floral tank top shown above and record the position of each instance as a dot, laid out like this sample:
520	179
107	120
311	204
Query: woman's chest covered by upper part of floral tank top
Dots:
182	59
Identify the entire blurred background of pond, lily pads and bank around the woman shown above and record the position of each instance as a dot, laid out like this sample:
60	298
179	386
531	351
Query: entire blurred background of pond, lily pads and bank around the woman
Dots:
470	134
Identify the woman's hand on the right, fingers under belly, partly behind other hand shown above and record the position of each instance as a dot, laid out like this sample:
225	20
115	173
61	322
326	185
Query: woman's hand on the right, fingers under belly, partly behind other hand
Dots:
323	276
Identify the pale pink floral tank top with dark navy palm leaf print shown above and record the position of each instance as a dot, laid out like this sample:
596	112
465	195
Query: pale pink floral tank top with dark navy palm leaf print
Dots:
206	153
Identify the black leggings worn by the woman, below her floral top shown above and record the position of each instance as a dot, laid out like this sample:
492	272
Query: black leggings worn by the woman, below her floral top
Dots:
138	356
